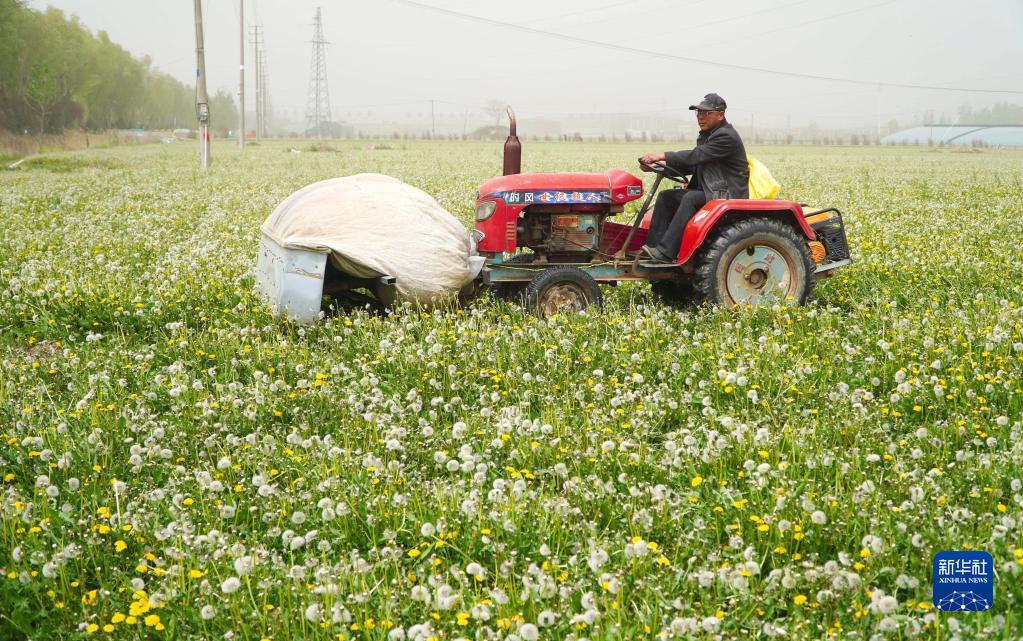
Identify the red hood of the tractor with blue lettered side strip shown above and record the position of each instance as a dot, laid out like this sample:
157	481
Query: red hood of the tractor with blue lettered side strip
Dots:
614	187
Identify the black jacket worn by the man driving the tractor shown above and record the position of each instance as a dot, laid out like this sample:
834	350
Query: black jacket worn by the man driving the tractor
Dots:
718	164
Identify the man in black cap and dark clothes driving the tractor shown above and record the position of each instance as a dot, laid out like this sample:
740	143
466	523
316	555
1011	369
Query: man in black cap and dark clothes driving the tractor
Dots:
720	170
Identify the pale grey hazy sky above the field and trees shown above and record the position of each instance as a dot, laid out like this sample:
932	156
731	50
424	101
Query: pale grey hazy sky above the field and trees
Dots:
388	57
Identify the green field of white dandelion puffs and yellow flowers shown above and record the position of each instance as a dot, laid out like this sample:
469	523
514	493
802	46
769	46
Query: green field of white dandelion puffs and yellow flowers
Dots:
179	464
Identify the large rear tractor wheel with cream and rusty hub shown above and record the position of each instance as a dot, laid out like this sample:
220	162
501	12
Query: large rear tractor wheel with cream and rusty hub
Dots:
757	261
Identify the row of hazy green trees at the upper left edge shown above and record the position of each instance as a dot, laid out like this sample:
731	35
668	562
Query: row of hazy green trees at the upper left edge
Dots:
57	74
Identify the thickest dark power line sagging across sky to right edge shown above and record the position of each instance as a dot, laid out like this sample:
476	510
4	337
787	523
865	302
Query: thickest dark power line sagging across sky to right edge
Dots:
684	59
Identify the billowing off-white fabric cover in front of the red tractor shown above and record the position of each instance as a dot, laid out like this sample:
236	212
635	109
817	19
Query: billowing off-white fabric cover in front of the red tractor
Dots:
374	225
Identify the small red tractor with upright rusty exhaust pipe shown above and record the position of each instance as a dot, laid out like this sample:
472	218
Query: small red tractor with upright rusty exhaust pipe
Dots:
733	252
